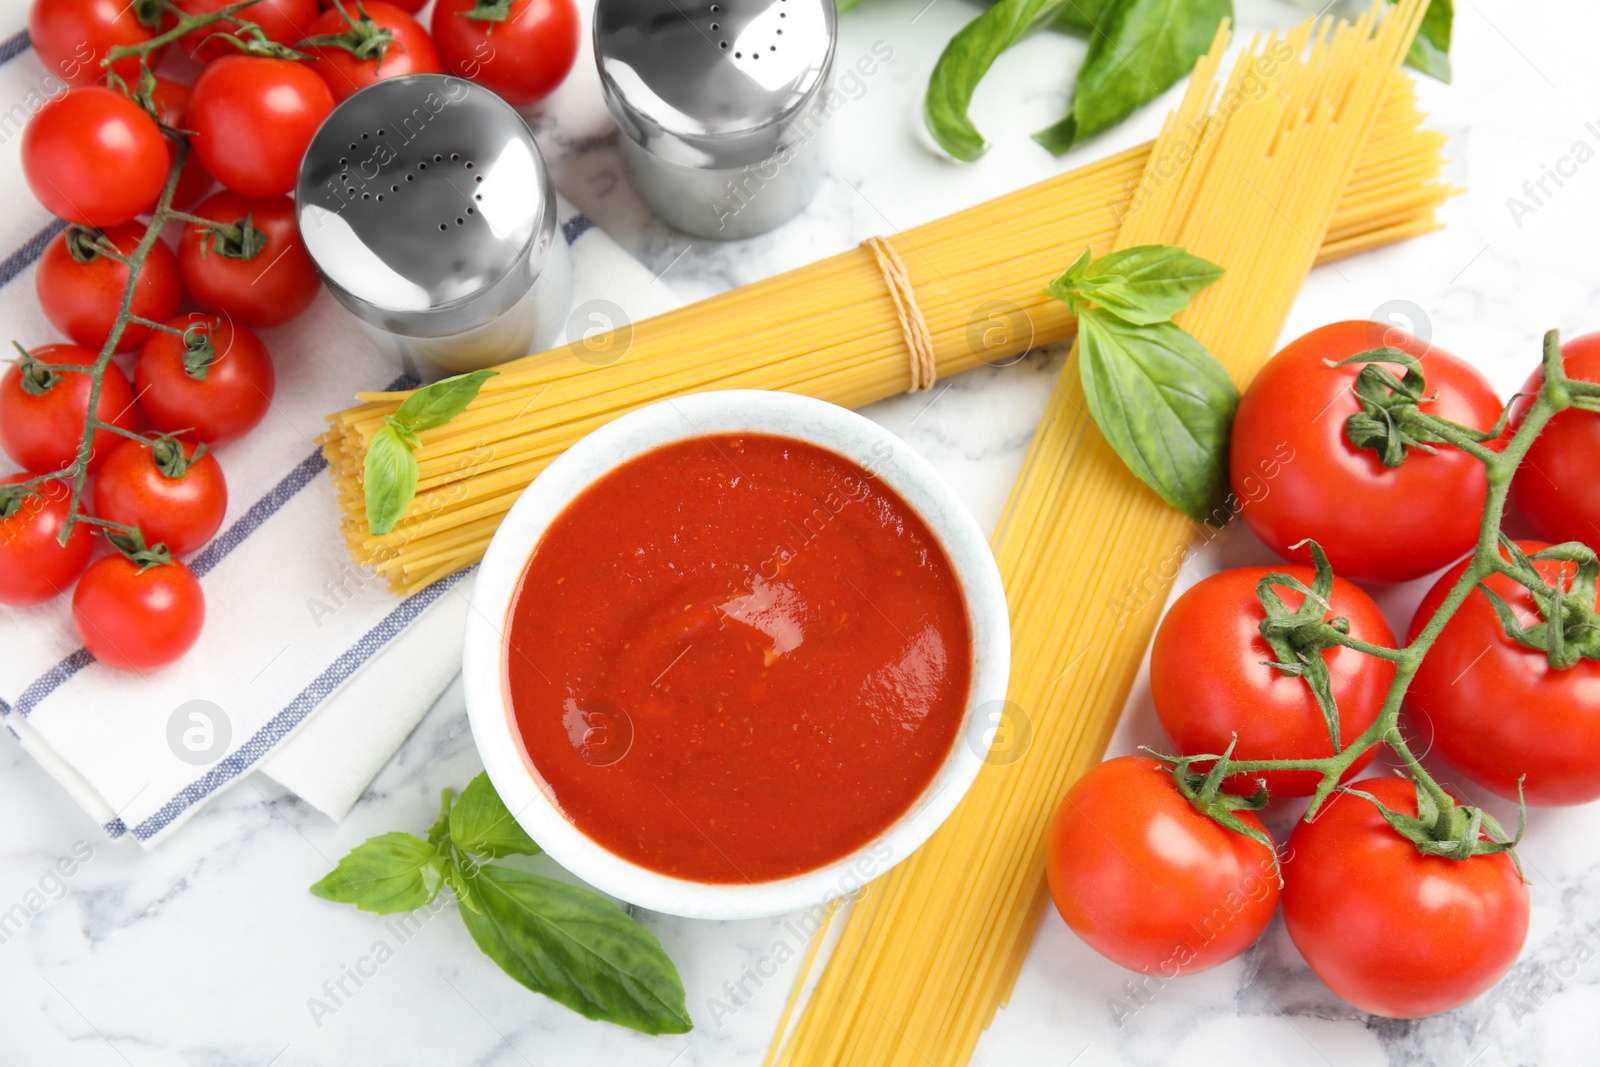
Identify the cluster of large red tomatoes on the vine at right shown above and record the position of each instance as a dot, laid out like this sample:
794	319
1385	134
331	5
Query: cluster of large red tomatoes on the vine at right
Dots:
1153	884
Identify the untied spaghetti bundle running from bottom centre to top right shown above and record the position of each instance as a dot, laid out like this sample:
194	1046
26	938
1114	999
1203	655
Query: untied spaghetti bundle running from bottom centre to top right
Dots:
1249	174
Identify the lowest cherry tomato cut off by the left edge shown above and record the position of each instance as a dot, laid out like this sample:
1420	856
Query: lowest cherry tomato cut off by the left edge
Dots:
34	565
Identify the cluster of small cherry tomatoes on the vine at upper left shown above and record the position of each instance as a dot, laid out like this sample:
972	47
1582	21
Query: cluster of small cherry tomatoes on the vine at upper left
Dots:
100	156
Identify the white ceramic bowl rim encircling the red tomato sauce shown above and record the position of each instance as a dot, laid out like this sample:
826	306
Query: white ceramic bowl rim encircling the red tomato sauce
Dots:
734	412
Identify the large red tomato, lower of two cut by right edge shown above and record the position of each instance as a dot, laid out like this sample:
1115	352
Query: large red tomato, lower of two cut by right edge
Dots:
1498	711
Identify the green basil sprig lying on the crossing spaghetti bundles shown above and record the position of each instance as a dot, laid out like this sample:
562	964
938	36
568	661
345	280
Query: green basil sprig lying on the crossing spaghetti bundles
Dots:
1164	404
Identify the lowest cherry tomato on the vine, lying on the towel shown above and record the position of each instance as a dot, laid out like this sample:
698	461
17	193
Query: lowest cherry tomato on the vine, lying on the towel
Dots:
134	618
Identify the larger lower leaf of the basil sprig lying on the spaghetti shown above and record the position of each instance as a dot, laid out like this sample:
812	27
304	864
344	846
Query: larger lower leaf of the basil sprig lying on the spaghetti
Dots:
1164	404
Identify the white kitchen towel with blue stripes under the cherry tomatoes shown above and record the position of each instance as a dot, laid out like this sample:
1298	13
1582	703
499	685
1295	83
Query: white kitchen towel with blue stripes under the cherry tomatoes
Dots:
308	668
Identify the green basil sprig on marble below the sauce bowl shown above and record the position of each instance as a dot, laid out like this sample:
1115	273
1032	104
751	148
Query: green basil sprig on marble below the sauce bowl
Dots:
570	945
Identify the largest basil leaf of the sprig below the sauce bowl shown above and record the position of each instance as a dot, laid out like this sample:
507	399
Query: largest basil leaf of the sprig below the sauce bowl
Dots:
577	949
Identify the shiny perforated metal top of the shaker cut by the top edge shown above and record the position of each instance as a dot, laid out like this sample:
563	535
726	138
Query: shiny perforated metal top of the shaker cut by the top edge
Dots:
716	82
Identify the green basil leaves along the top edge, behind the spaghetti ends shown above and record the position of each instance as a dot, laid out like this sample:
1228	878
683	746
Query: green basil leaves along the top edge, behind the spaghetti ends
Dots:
1138	50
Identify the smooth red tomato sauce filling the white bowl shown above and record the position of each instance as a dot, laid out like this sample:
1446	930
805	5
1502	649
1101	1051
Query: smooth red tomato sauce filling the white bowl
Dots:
738	658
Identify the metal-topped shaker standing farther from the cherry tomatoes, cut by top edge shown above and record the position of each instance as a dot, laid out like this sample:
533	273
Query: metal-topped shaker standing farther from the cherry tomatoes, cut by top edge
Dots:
721	105
